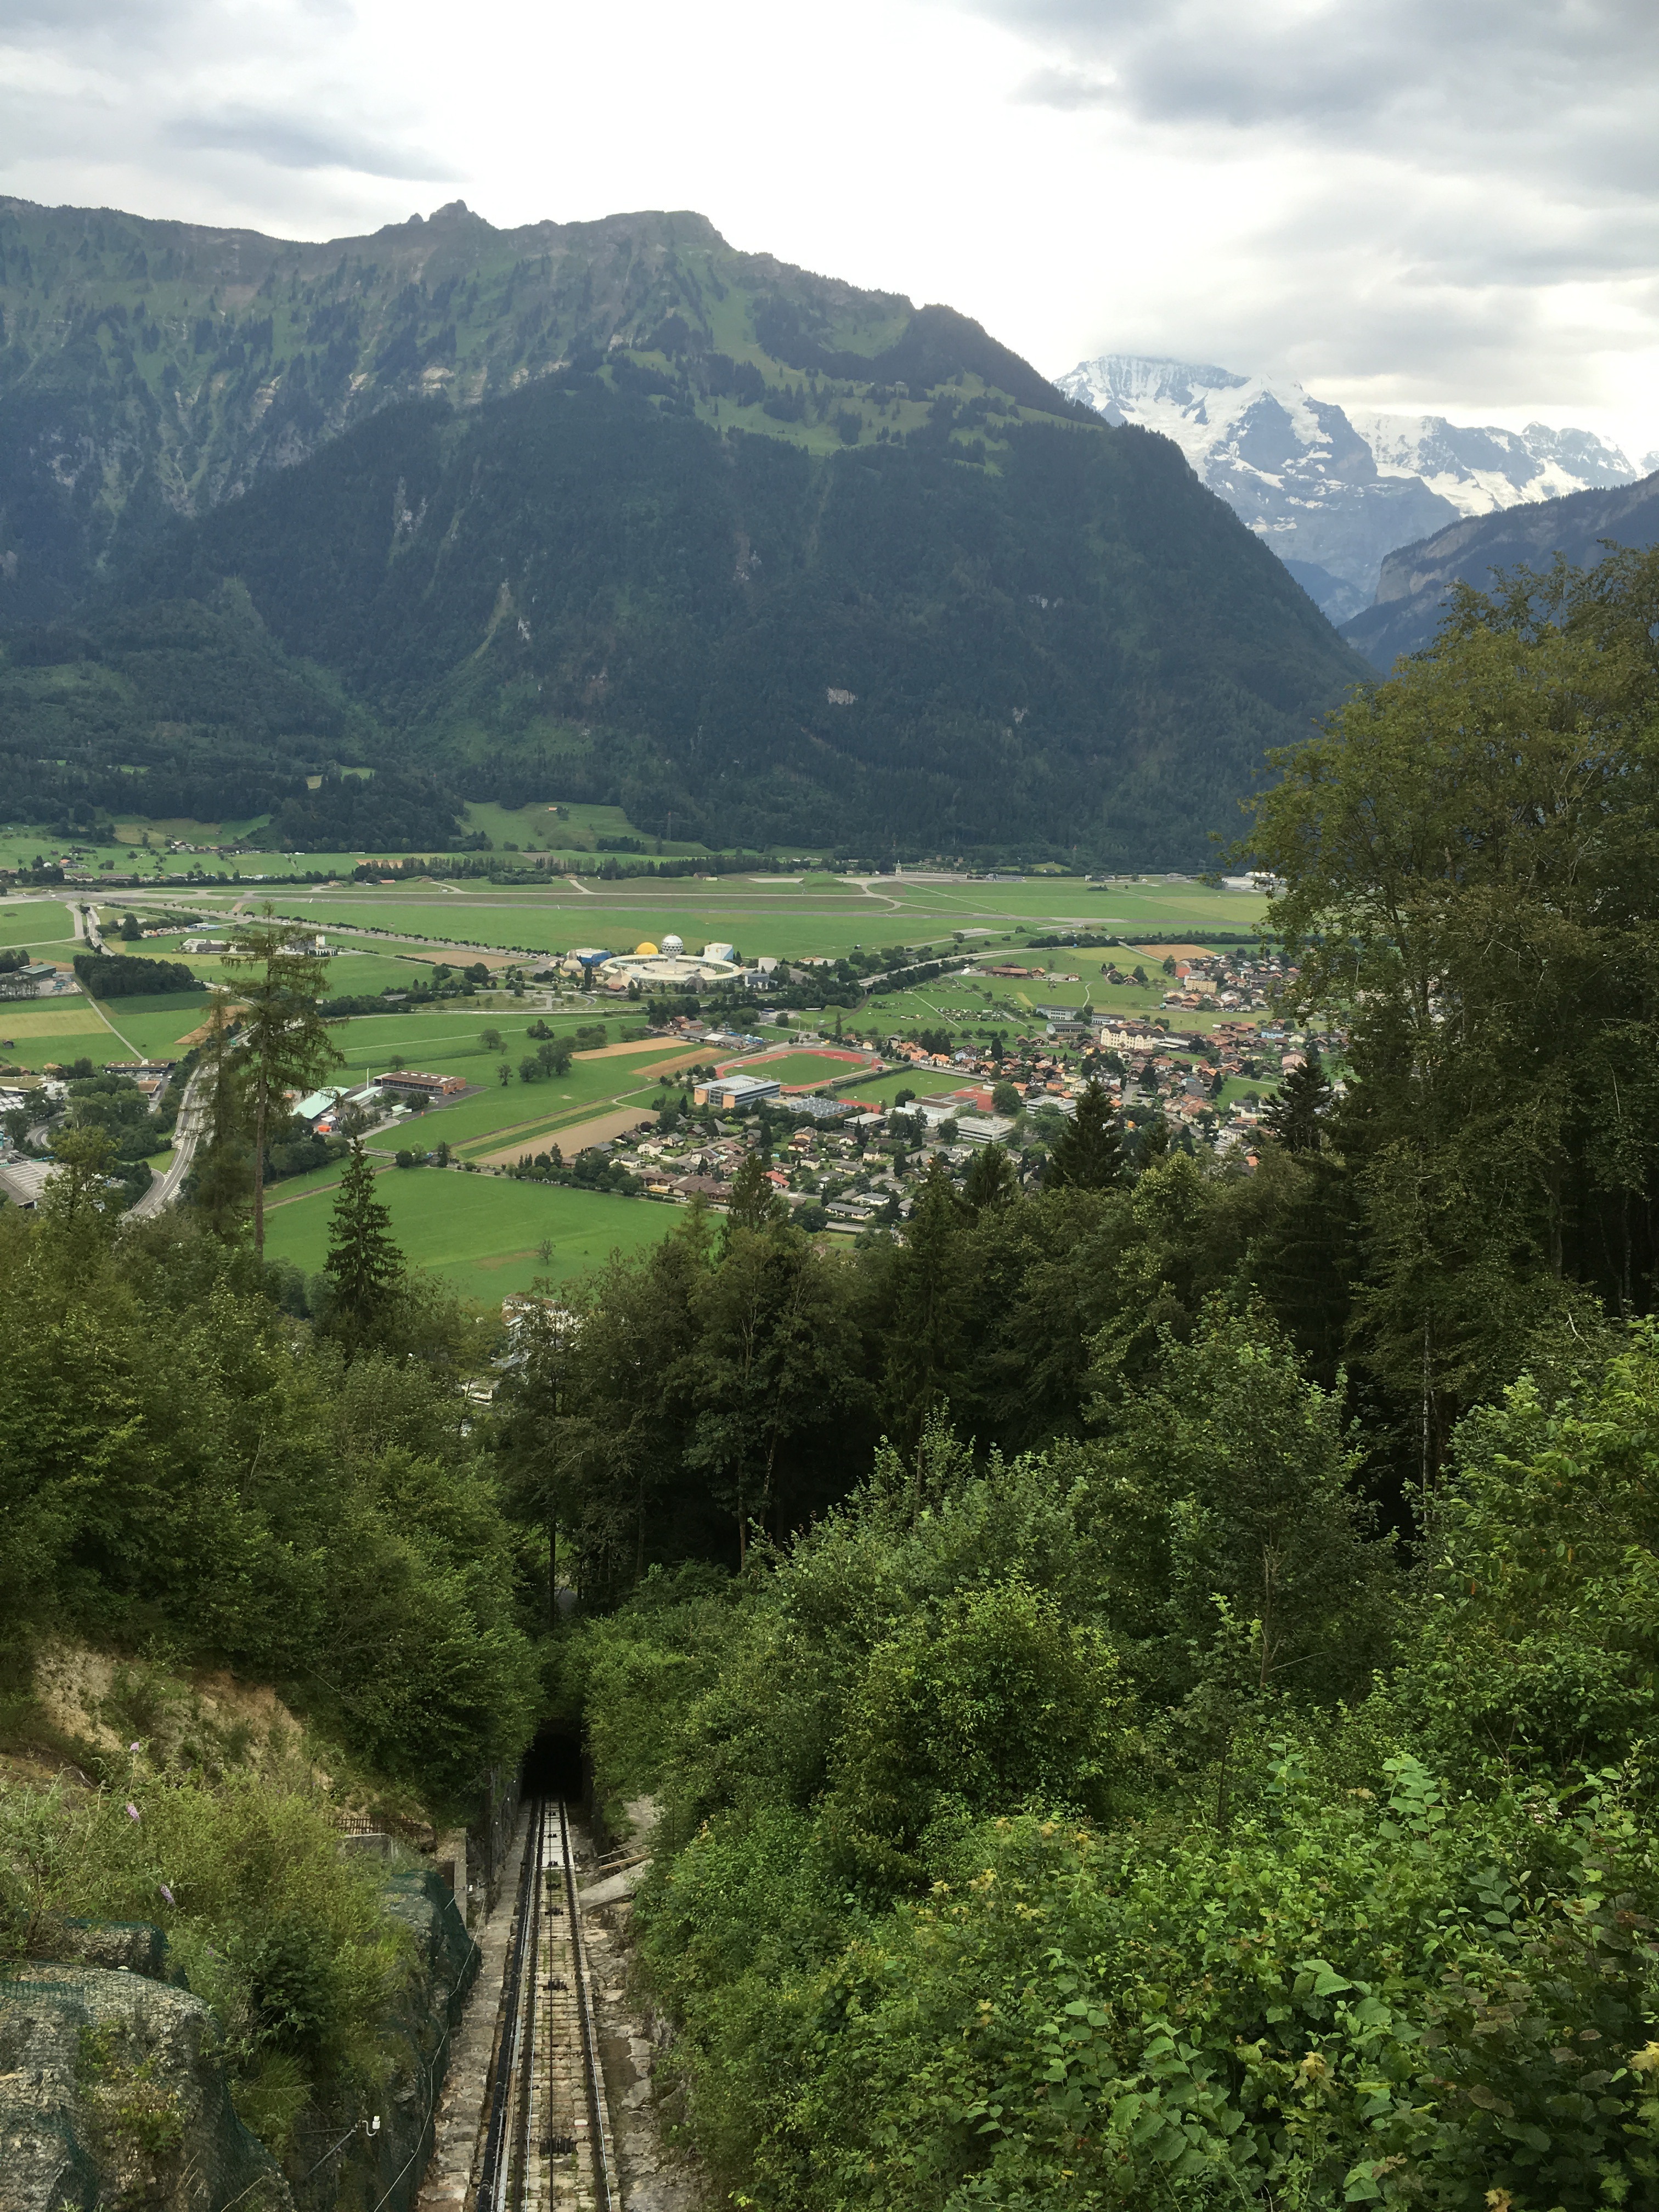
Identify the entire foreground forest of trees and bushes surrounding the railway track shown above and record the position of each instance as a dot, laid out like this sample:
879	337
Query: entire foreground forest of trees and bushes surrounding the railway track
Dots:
1147	1682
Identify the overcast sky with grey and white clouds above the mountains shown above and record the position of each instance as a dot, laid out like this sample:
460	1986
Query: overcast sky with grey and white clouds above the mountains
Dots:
1415	205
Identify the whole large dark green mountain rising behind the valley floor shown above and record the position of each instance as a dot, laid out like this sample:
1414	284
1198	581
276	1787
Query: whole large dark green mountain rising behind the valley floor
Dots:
605	512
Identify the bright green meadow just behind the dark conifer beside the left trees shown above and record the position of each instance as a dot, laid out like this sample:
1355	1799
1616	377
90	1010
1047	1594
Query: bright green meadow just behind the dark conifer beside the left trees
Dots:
481	1233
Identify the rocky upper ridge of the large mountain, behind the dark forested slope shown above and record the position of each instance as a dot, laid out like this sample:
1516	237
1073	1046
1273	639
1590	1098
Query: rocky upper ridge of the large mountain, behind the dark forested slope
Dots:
154	368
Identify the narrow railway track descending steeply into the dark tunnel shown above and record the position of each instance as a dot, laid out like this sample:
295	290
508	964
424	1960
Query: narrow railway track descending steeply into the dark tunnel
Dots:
547	2131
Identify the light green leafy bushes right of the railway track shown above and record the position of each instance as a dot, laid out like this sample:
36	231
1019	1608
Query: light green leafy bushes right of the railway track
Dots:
950	1910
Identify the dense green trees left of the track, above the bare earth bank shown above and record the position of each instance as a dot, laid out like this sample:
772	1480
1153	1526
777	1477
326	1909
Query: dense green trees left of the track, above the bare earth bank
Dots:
180	1463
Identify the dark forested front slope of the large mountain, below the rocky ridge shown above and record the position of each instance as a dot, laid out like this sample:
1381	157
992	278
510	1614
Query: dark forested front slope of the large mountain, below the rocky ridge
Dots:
1065	643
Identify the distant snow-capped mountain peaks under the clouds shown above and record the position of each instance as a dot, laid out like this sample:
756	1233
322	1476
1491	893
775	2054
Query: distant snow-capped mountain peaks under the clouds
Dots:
1335	494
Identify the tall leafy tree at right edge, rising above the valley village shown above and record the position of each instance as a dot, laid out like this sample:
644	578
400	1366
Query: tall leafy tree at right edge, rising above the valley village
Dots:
1472	859
